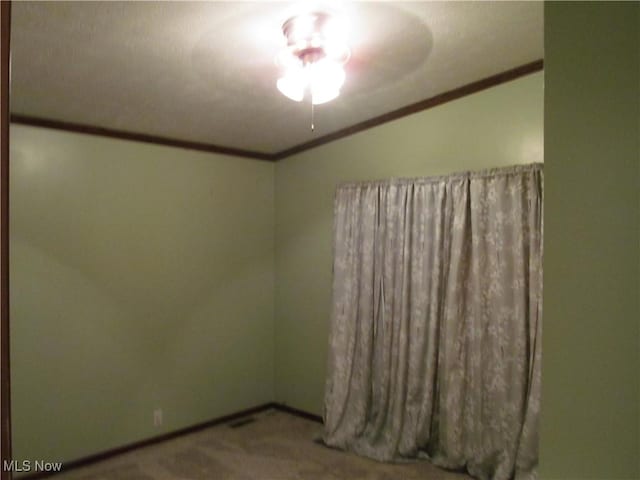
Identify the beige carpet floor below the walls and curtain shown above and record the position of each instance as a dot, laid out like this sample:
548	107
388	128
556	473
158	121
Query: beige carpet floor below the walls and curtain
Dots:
275	446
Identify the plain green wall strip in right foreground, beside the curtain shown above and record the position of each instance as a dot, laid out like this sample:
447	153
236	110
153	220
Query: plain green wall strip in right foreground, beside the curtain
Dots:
590	404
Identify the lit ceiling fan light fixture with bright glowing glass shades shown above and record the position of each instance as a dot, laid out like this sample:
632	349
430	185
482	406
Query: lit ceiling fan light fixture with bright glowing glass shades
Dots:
313	58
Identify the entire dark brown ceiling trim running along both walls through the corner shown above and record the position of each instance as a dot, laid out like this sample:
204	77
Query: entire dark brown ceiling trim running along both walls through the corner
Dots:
445	97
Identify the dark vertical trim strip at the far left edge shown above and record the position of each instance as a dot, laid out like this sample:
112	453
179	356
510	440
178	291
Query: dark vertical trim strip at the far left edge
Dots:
5	397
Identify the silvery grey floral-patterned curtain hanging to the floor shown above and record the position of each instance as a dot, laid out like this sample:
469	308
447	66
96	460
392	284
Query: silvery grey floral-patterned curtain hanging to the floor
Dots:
434	348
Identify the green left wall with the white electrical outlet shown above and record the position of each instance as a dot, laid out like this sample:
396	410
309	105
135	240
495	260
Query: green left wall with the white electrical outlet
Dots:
141	277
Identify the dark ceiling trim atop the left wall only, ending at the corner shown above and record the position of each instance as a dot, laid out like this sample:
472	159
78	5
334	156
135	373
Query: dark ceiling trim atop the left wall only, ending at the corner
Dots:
136	137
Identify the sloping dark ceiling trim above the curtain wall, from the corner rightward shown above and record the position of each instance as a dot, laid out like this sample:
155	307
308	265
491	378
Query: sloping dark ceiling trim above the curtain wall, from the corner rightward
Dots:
445	97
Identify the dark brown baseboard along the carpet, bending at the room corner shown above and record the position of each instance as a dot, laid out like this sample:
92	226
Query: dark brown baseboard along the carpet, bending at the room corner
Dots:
98	457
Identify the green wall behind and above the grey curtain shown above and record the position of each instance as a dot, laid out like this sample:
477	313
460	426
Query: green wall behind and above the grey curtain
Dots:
497	127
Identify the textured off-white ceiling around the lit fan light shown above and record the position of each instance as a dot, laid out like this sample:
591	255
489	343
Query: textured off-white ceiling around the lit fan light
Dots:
205	71
